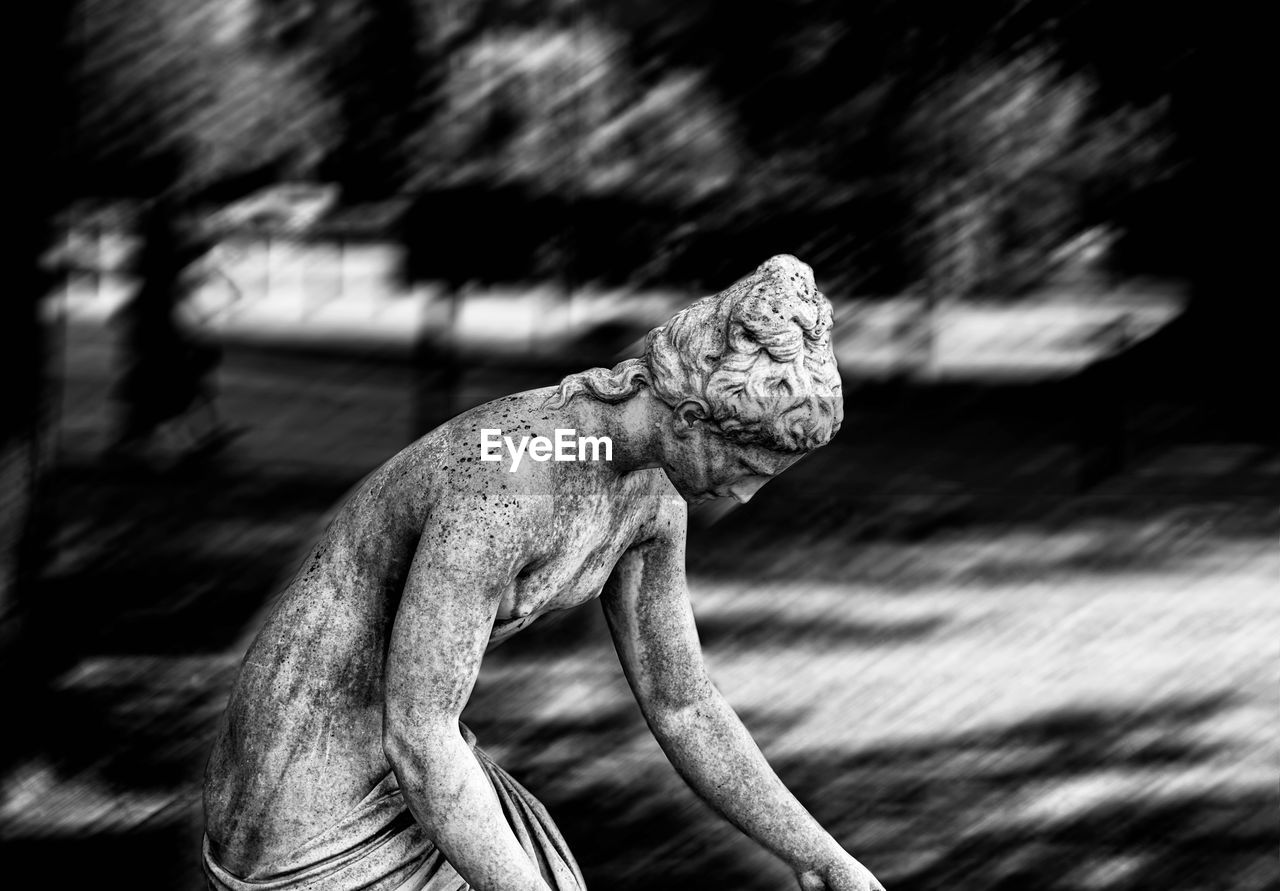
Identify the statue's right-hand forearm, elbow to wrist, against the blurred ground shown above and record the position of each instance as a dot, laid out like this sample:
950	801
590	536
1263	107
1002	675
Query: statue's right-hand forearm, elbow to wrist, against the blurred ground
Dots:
716	756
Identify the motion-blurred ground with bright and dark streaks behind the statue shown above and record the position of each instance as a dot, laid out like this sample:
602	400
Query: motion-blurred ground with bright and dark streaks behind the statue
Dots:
979	678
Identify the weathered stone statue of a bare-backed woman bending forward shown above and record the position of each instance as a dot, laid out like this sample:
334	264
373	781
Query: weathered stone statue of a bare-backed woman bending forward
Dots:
342	764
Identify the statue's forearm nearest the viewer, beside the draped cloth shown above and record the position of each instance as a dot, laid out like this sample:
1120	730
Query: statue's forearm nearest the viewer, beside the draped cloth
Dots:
451	798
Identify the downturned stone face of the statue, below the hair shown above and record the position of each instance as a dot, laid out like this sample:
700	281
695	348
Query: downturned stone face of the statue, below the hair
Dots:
702	464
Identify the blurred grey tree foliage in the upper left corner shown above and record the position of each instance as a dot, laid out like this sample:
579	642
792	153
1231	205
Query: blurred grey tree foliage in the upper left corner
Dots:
181	94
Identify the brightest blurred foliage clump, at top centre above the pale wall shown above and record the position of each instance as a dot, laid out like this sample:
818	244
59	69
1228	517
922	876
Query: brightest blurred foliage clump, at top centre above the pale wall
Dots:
560	109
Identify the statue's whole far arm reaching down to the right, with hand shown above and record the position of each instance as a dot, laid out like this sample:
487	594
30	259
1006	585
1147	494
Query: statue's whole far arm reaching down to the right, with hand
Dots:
648	611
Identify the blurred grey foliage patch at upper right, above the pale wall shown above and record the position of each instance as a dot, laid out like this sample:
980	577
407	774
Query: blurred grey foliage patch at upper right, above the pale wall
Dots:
1002	159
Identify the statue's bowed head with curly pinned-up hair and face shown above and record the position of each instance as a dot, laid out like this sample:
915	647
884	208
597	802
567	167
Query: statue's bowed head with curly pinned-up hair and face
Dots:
748	380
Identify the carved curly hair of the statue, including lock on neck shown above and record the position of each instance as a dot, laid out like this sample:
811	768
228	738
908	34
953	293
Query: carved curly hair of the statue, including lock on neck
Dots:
758	355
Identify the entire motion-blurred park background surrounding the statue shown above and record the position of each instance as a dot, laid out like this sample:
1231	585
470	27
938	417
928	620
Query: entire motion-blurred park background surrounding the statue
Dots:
1016	628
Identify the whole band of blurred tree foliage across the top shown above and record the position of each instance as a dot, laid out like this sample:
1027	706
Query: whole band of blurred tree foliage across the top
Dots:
900	145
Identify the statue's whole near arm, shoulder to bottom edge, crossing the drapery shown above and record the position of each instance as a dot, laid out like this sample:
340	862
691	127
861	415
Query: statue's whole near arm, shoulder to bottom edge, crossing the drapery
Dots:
438	641
